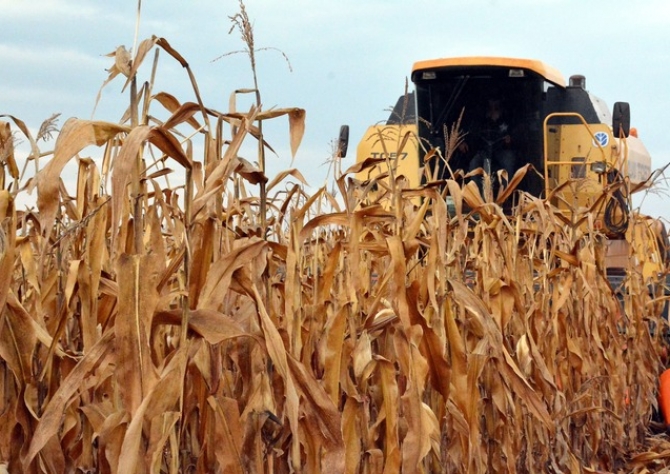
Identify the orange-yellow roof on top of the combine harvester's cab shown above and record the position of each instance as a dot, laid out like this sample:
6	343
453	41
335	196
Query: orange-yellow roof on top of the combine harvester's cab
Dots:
547	72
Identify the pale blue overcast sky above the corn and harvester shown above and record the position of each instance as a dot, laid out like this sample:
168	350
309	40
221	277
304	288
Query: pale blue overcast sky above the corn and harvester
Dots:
349	59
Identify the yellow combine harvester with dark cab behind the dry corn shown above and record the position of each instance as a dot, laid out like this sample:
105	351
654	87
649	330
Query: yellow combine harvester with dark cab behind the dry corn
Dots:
484	119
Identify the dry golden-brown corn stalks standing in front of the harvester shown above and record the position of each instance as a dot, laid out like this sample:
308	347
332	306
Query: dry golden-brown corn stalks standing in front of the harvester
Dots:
234	323
